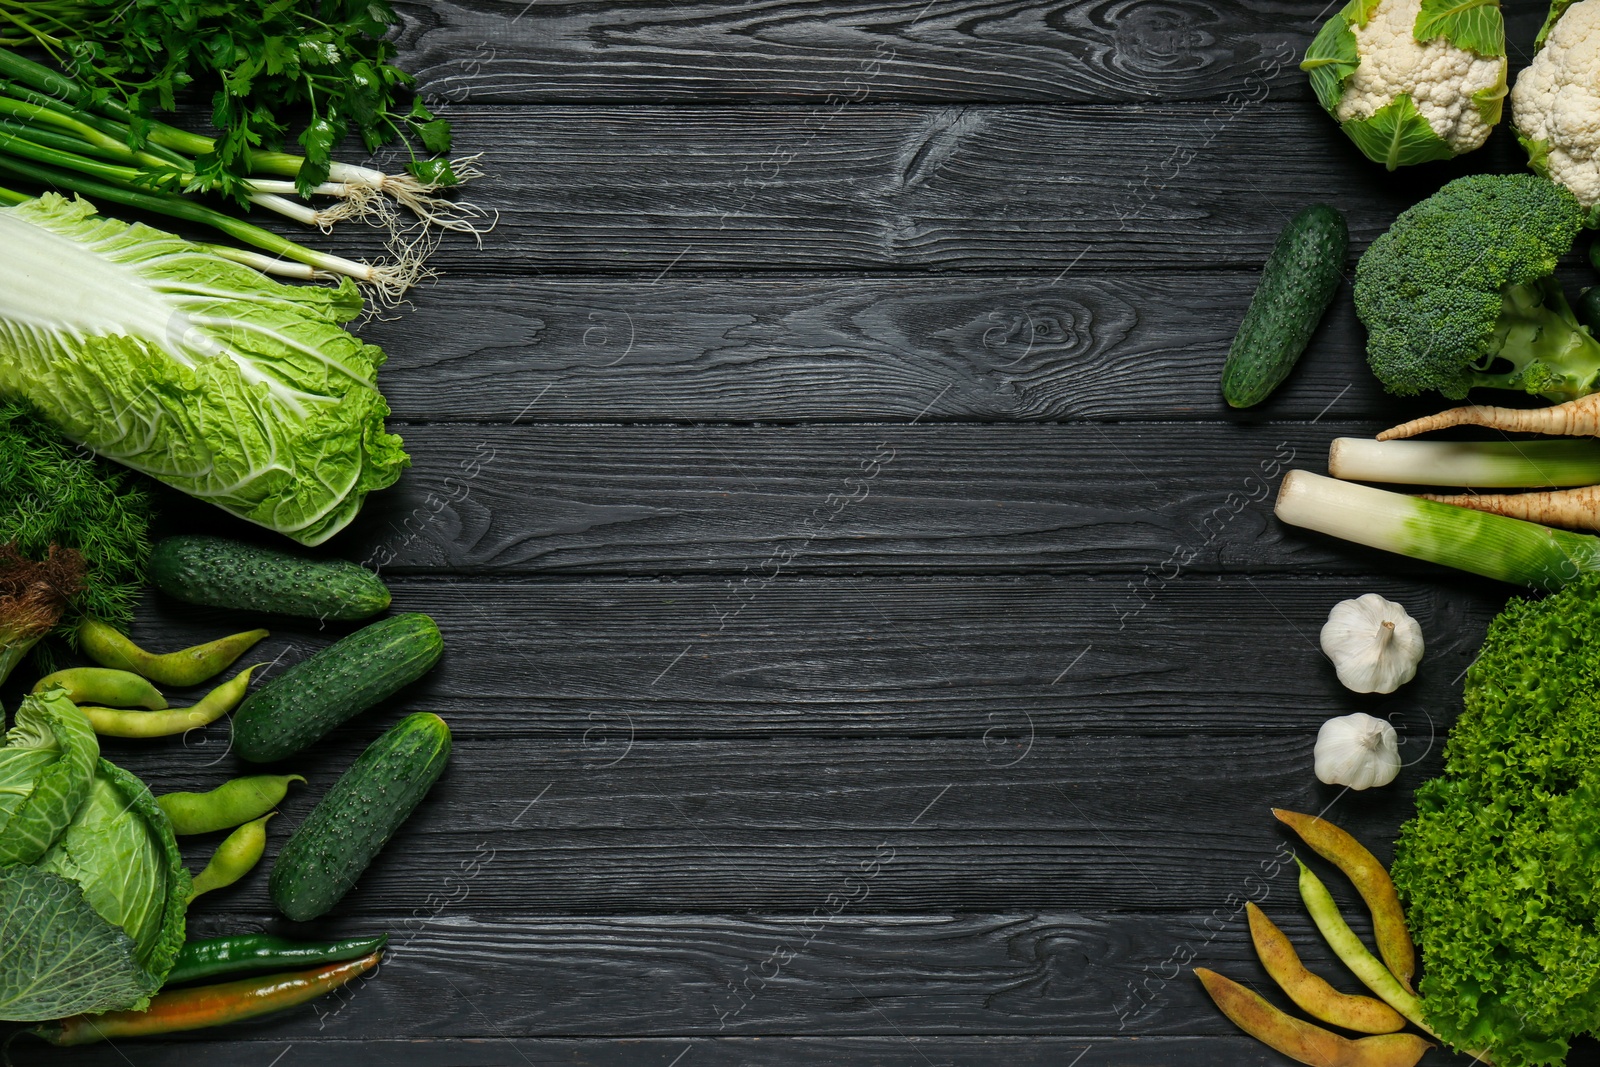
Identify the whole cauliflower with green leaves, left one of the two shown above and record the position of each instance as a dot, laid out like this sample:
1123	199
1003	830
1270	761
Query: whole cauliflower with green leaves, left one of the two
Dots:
1412	81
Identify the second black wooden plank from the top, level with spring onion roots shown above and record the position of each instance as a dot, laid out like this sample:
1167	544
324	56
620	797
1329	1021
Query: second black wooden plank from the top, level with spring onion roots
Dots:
1007	190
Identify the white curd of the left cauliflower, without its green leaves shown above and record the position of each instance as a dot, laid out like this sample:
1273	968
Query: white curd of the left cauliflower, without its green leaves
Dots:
1441	78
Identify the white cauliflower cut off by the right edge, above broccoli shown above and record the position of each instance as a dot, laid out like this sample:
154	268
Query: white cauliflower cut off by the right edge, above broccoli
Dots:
1558	103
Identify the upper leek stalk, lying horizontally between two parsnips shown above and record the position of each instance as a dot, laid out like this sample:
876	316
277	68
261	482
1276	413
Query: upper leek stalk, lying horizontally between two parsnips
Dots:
1478	465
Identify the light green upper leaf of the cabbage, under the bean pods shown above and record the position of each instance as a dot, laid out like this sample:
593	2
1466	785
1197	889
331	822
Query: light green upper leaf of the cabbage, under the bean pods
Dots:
47	769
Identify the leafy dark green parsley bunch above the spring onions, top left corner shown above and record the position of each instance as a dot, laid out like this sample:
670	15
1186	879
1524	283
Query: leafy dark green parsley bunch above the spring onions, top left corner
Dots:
306	70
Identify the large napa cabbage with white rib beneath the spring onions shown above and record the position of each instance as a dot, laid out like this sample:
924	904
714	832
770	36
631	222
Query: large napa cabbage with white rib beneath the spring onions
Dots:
196	370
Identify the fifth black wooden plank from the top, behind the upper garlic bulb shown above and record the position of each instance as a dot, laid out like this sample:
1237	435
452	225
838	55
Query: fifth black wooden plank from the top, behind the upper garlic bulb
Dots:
577	671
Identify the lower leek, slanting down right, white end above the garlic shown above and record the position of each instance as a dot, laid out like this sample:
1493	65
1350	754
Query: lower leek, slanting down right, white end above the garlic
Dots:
1508	549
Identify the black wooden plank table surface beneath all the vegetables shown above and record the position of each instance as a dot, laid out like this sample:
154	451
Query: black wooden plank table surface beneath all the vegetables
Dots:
870	641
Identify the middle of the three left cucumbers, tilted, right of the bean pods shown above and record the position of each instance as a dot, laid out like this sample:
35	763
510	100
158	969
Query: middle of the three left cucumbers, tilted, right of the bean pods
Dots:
340	682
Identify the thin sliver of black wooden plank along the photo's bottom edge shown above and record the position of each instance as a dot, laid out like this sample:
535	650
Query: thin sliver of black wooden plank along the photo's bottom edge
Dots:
1223	1050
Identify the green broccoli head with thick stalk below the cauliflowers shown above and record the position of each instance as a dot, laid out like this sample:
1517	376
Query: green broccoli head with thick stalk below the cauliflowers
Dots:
1458	294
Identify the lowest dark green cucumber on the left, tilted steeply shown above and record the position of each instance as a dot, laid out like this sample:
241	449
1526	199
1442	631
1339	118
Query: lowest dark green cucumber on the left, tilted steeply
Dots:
353	823
